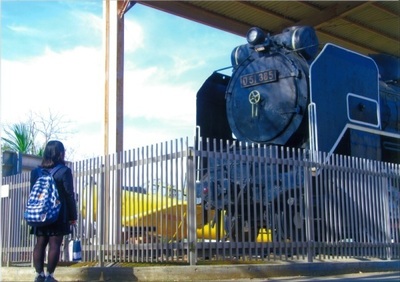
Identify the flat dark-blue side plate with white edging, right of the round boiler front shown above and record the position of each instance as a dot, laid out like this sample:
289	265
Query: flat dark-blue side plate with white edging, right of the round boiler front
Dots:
345	94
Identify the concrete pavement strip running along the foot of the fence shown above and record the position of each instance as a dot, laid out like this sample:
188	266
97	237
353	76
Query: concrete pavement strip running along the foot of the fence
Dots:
237	272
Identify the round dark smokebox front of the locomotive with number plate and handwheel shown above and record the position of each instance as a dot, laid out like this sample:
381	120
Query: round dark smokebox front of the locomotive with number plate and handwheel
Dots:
267	97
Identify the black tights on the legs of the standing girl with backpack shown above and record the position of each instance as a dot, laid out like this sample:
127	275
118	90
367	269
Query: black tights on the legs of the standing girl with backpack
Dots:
40	251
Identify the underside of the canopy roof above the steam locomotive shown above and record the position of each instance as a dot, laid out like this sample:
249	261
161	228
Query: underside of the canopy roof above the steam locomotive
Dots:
367	27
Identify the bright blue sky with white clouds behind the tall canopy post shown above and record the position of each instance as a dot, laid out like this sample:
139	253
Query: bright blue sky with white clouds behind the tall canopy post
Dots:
51	59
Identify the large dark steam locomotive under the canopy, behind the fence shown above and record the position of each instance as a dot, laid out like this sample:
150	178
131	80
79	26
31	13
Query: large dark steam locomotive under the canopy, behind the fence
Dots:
285	91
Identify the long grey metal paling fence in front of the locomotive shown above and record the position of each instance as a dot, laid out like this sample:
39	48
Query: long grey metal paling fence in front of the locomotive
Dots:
220	200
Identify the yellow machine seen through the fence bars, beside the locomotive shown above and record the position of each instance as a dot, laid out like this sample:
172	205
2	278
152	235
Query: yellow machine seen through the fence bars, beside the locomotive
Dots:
165	216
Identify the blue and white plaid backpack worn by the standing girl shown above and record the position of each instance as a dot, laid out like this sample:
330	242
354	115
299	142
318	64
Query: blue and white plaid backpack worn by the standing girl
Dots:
44	203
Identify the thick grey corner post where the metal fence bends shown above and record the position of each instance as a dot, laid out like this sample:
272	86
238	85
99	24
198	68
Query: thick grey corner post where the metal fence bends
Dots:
191	200
